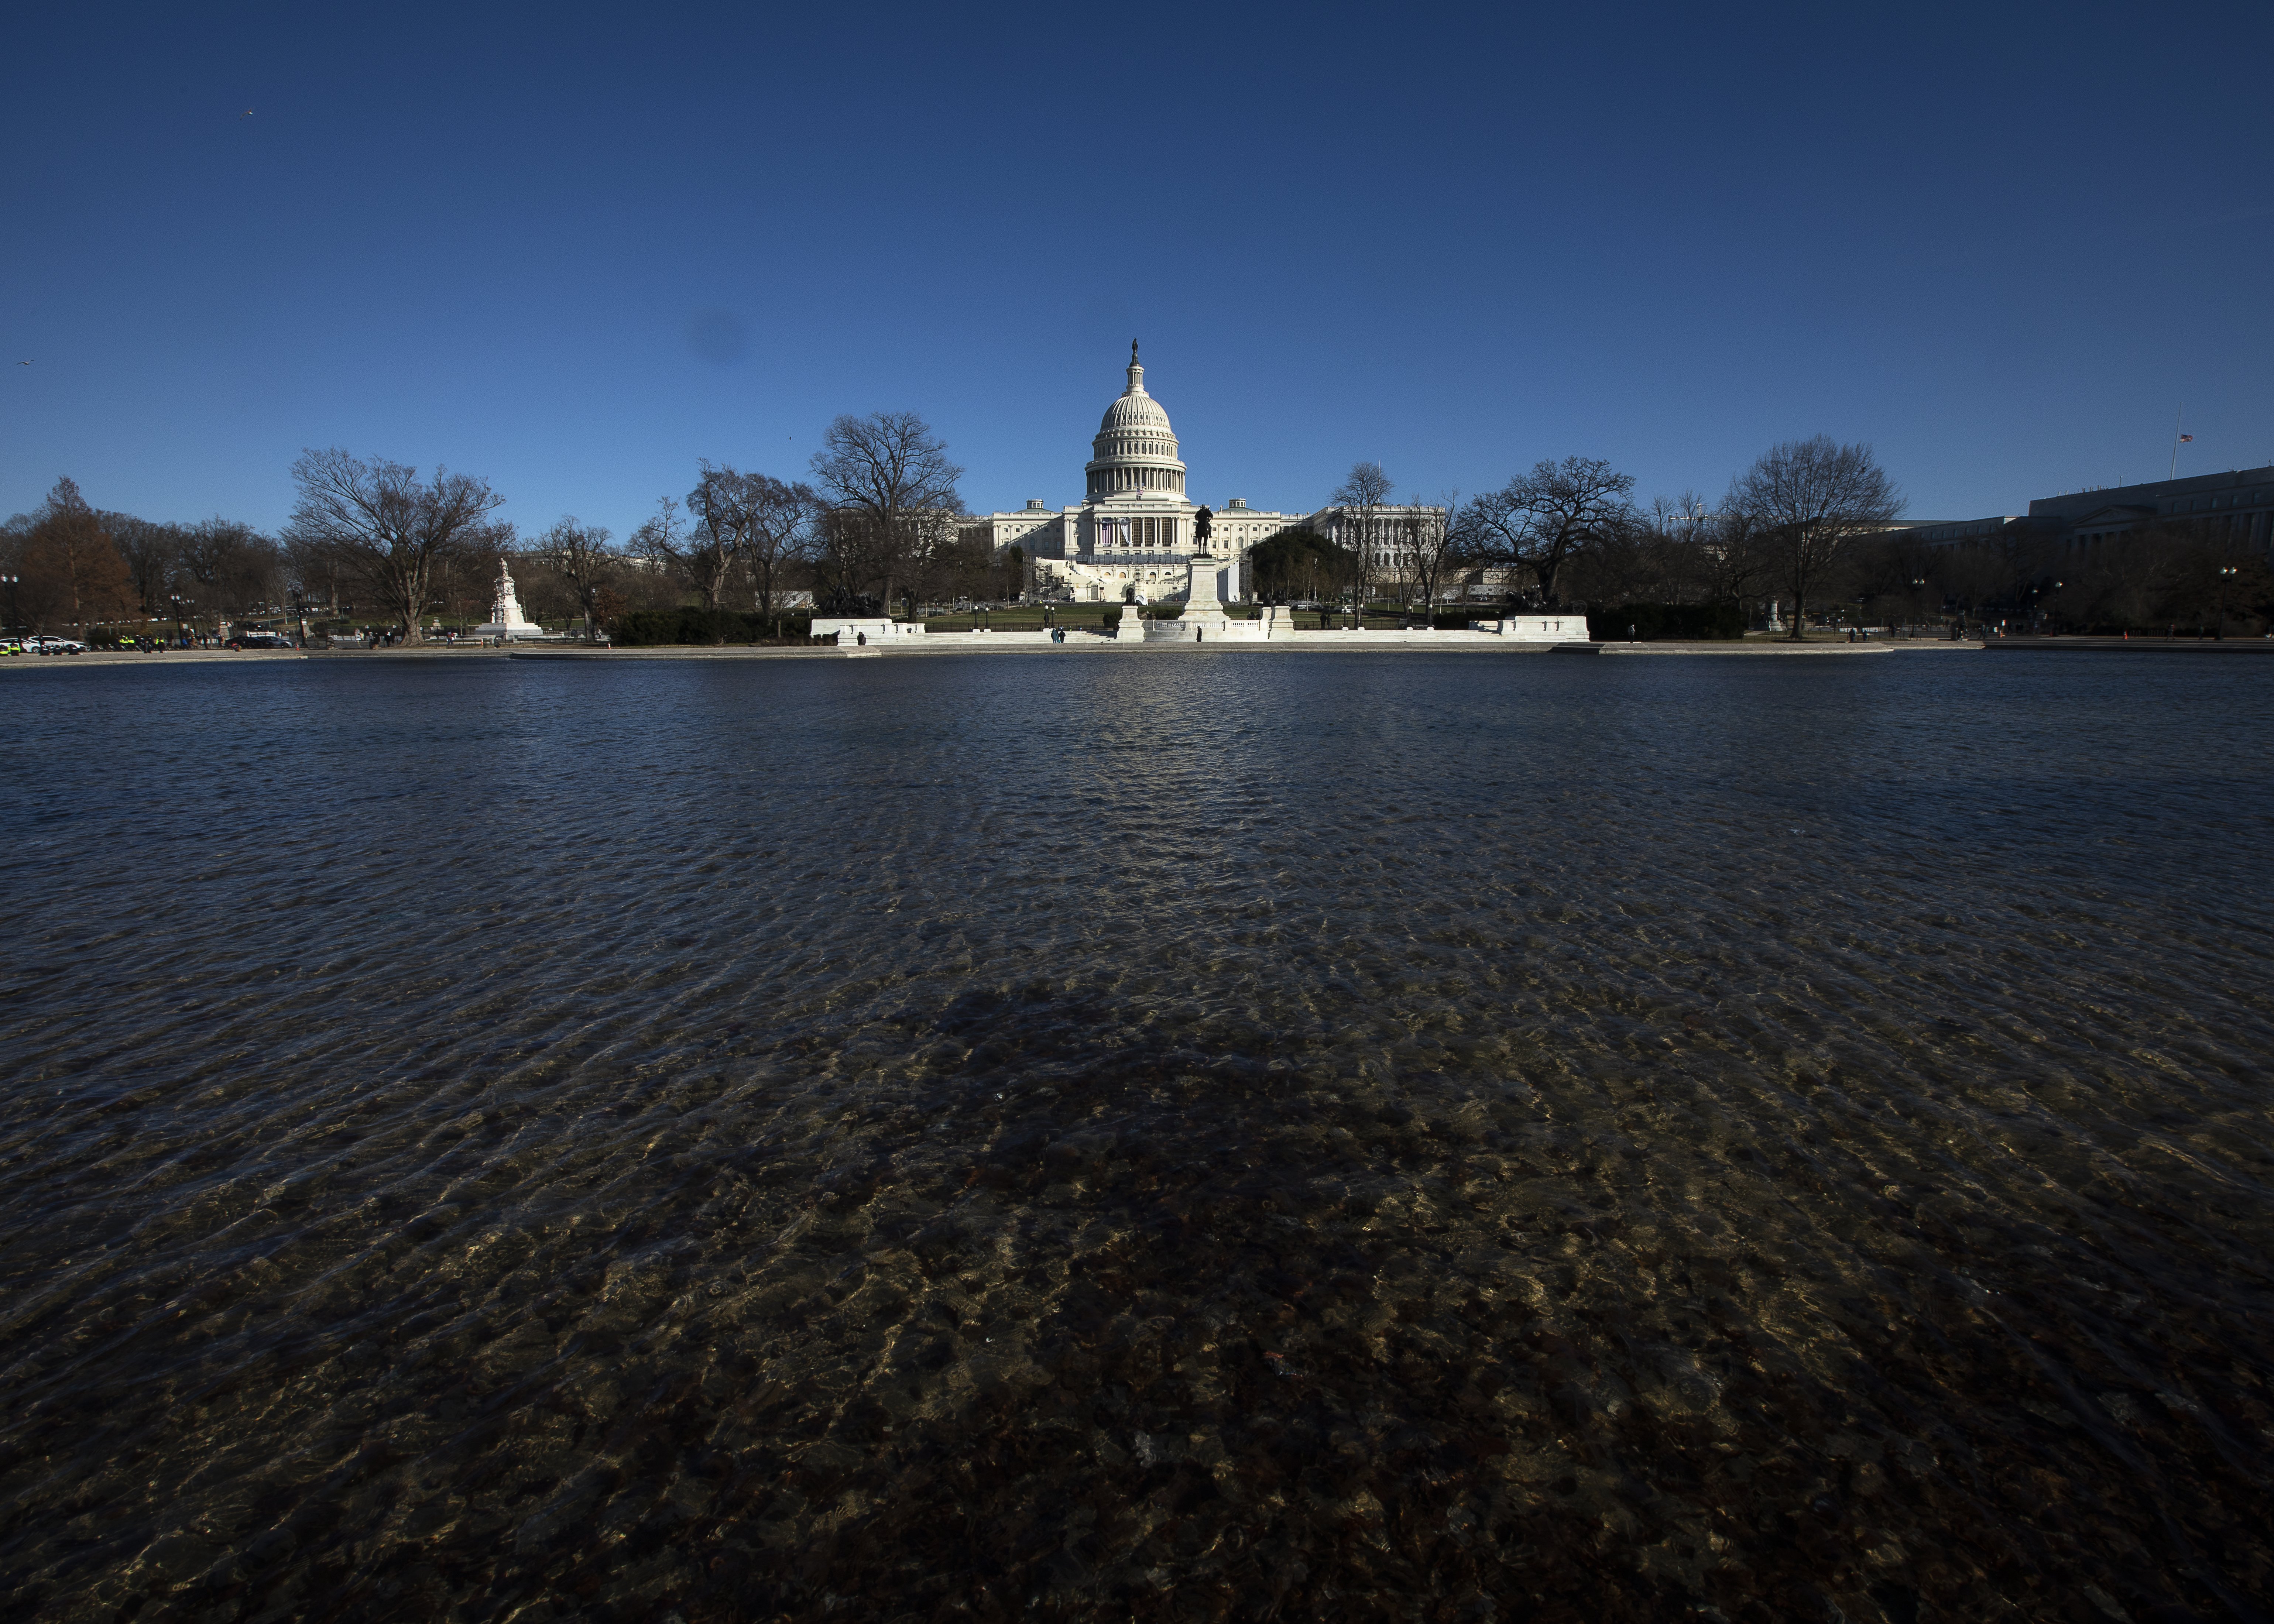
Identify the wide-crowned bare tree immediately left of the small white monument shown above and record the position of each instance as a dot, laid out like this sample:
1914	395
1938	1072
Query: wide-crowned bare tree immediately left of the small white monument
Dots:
388	531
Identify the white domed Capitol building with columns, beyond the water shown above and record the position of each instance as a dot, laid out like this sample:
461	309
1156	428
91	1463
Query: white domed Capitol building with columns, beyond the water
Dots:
1134	533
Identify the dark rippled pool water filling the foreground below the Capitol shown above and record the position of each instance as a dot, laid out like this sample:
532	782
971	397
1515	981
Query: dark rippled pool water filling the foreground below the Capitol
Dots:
1197	1136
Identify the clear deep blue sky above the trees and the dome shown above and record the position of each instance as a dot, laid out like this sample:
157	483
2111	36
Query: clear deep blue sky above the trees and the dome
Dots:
579	249
